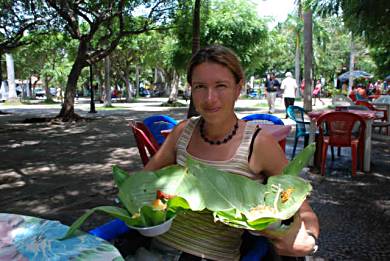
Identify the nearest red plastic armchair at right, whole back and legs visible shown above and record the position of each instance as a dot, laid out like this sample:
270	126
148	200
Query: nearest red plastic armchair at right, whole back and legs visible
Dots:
340	129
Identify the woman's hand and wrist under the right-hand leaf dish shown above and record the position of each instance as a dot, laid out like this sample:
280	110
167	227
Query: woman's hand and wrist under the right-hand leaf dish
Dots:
294	241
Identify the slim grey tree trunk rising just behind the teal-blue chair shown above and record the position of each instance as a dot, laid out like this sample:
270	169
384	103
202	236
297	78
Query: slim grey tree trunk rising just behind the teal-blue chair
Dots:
308	59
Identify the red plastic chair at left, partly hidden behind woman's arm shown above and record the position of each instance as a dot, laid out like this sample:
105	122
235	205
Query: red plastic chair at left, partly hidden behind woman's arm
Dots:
146	143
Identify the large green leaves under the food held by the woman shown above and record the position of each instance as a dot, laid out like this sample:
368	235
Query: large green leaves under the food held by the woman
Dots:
234	200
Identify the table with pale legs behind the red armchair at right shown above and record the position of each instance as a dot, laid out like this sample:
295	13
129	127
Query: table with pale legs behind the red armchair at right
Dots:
368	116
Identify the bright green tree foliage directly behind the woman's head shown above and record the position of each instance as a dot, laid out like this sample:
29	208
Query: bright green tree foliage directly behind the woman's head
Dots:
232	23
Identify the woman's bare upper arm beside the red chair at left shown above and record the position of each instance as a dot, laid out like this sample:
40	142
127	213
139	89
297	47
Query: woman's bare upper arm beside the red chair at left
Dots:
166	155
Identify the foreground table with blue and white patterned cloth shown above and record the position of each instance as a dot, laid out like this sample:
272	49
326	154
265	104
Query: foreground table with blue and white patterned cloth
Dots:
32	238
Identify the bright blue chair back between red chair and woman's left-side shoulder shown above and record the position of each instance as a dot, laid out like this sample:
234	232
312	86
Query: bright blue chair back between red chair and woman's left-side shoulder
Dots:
157	123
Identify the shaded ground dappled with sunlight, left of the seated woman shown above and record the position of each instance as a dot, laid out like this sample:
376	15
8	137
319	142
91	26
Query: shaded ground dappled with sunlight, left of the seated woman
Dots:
56	170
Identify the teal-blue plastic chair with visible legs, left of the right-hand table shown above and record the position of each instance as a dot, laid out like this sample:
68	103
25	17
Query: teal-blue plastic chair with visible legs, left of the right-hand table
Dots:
297	113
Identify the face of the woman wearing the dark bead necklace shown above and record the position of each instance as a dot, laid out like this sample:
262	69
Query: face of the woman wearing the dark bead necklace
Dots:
214	91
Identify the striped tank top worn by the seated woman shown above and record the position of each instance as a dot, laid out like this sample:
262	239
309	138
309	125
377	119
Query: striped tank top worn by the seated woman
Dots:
196	232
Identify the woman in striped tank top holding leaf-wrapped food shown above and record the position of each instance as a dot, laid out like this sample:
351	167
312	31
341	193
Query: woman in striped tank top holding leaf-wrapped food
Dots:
220	139
